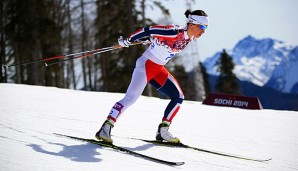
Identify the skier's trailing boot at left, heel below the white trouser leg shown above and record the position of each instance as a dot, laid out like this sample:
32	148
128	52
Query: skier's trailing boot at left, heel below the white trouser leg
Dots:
104	133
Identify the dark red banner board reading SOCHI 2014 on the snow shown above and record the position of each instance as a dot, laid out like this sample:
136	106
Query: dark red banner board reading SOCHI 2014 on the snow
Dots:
230	100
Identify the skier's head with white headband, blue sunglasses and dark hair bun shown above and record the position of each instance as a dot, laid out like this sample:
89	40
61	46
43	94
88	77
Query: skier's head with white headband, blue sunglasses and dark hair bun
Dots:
197	23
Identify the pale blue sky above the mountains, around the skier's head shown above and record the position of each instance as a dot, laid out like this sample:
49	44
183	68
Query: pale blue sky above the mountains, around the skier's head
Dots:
232	20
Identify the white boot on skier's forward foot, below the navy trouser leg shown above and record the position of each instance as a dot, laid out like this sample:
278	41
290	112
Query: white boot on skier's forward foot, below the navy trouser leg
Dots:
163	133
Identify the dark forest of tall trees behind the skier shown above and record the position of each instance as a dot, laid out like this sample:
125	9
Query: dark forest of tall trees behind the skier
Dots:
32	30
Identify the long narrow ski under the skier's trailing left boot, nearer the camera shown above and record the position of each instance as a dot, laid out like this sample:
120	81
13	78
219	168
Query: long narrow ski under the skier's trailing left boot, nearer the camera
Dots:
118	148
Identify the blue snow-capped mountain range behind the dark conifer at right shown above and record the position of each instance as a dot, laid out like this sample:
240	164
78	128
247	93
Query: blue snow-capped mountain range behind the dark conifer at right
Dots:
263	62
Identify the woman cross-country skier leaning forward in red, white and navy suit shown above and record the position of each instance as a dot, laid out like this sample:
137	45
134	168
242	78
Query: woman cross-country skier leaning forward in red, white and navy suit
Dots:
166	41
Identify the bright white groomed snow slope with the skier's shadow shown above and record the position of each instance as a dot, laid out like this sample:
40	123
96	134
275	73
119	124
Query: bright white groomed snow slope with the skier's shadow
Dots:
30	114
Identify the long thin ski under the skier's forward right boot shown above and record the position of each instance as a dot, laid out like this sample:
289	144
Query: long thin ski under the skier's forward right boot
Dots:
181	145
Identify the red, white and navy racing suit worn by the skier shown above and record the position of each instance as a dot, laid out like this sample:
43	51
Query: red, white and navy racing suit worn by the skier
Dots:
166	41
